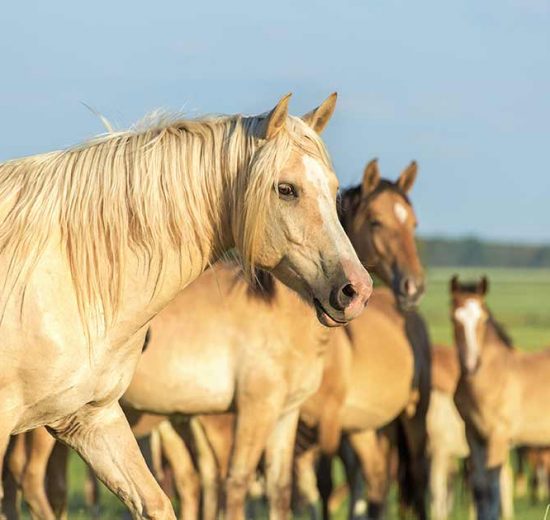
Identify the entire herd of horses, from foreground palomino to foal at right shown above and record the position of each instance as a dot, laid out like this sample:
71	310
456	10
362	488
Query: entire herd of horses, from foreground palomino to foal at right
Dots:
200	286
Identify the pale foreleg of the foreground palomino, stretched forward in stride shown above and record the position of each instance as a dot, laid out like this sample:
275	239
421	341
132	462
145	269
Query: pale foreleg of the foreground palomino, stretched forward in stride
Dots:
103	438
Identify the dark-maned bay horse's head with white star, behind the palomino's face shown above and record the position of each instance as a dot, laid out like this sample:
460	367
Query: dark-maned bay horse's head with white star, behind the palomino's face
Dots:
380	221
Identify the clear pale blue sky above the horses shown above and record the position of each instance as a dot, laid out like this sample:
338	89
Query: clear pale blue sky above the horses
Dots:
462	87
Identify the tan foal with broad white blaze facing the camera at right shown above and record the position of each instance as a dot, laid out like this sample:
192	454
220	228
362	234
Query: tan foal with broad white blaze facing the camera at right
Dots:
500	393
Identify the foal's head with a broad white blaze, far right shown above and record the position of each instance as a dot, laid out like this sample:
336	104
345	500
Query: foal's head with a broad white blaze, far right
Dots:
470	318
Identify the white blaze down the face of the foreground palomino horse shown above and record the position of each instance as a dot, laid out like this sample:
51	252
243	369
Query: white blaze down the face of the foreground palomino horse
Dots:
318	177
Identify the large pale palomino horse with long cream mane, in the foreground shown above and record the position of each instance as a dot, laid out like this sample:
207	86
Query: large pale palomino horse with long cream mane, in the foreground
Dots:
96	240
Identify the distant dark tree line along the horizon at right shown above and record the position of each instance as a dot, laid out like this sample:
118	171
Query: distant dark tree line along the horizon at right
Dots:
444	252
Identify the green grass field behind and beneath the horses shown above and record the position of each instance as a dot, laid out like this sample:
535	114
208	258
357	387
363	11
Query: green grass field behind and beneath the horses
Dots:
519	299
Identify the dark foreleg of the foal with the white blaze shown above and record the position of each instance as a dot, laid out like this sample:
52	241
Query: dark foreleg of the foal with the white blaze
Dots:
485	481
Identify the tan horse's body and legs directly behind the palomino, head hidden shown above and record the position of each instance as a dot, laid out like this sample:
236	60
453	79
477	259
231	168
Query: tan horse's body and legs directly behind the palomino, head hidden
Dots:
263	355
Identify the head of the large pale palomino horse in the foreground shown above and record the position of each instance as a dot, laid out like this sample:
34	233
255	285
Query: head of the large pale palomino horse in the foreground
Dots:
303	242
